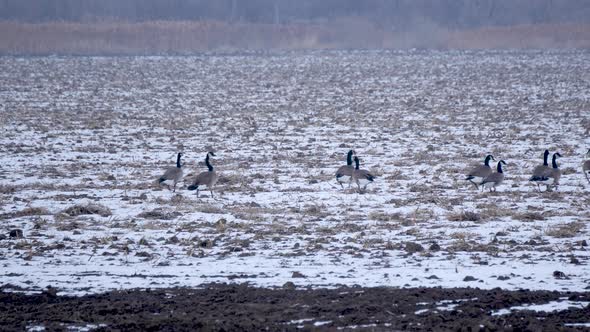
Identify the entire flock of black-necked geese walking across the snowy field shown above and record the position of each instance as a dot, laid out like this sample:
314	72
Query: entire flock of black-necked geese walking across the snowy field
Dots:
481	176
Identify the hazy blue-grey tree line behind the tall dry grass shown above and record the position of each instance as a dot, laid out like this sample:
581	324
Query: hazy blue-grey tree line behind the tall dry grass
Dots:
389	14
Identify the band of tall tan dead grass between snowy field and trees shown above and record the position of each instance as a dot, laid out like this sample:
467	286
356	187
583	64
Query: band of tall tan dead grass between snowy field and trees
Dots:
188	37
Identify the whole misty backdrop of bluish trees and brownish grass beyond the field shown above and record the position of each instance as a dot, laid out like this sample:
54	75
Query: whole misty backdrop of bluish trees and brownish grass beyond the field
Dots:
188	26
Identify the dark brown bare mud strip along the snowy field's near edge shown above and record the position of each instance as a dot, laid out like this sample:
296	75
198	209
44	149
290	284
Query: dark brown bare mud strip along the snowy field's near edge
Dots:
223	307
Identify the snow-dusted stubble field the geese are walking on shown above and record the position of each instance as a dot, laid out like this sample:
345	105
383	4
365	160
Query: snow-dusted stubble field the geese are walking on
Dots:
81	131
